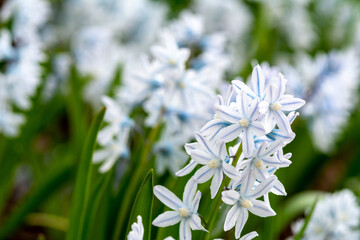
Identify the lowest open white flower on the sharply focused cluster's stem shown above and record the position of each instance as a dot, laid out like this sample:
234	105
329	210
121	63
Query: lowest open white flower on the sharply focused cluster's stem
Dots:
244	200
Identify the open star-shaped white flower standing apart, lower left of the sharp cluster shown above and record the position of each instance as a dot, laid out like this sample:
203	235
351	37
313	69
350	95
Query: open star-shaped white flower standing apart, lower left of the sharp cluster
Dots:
184	211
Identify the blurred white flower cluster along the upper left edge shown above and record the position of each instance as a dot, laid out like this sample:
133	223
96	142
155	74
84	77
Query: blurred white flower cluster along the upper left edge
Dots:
21	51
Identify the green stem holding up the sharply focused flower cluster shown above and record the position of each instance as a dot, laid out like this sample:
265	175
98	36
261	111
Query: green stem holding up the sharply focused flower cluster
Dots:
218	201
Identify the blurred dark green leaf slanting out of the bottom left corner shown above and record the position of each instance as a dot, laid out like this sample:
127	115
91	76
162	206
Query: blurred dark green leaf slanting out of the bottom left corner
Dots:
55	179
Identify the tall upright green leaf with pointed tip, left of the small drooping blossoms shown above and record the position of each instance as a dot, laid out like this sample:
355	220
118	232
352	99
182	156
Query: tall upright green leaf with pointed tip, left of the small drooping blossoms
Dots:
83	183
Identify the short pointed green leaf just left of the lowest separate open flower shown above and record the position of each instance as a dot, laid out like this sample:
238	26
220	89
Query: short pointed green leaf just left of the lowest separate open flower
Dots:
143	205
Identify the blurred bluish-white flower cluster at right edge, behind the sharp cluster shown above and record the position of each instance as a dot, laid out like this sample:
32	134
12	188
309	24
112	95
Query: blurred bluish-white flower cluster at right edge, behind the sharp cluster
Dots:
329	84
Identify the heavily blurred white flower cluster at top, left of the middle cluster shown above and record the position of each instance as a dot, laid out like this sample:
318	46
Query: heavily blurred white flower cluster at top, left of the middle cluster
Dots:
102	35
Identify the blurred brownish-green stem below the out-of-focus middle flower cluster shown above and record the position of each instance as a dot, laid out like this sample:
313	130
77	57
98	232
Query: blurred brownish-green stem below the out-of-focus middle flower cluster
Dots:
140	170
